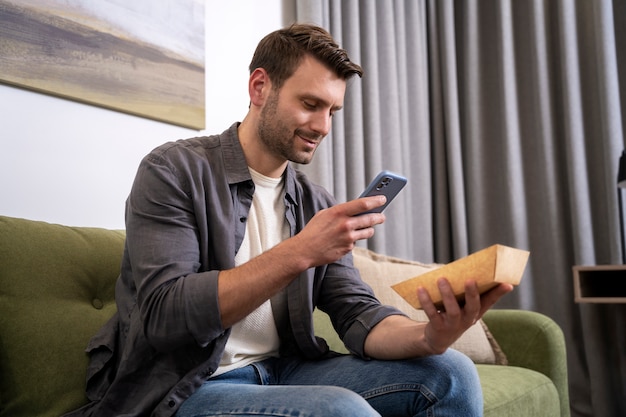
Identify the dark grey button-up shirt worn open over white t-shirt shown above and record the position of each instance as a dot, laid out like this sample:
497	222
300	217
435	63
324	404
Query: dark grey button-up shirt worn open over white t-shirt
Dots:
185	220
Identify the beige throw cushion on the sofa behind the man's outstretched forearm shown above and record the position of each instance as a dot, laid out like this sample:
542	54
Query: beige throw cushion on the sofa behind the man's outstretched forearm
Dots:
382	271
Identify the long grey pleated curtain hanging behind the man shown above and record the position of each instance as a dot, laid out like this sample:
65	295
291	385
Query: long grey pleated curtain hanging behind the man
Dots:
507	117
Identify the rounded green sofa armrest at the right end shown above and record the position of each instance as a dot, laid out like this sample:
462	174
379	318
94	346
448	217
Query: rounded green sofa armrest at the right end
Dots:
534	341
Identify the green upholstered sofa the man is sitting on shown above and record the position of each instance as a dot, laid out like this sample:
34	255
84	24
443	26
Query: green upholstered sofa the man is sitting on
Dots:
57	289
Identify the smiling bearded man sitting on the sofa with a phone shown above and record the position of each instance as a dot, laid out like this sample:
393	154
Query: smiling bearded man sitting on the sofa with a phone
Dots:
228	251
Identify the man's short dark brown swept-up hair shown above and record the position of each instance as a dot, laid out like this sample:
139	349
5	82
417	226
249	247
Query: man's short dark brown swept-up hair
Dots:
280	53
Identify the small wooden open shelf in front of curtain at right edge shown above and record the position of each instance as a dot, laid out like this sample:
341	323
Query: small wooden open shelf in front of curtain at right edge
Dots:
600	284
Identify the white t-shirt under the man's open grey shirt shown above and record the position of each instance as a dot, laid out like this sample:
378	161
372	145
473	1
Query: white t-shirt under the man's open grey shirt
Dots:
255	337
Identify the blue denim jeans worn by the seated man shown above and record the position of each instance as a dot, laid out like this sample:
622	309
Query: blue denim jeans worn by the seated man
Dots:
442	385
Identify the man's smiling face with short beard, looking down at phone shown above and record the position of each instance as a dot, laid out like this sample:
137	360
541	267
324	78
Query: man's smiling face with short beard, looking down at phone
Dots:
295	119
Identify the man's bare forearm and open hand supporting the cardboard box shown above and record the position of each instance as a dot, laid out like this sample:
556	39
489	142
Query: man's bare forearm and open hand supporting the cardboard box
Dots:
398	337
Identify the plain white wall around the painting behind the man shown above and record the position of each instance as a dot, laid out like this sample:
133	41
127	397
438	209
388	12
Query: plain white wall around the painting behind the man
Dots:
70	163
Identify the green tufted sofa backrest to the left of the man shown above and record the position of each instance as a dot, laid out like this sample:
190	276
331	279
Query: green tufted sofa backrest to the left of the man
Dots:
56	290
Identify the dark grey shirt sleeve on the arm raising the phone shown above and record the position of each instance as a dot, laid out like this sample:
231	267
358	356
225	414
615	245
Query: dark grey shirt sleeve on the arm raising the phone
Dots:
177	300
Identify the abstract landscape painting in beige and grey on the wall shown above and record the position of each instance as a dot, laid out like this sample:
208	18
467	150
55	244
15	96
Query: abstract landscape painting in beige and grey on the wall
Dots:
141	57
